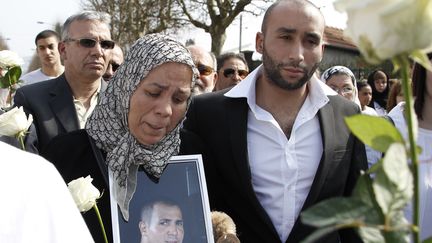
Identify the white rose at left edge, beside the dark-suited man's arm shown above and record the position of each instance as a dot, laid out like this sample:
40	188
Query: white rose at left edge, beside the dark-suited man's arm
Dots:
15	122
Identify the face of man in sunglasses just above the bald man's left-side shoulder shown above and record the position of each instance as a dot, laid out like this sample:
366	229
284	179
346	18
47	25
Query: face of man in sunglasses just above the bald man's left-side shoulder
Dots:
231	73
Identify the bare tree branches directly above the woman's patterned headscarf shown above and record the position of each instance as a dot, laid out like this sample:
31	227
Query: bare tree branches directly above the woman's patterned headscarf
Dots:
131	19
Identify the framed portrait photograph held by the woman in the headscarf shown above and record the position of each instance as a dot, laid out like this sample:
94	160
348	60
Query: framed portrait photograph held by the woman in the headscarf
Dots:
173	209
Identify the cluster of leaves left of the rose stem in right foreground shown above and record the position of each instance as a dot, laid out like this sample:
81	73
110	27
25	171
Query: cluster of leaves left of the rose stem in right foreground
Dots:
376	206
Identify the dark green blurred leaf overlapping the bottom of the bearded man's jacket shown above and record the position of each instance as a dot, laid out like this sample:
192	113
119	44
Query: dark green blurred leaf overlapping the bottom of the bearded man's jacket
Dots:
338	210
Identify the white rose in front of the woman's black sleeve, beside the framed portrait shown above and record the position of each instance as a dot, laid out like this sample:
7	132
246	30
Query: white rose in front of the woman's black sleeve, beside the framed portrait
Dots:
84	193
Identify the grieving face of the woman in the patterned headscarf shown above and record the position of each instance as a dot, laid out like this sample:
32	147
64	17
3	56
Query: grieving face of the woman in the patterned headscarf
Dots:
159	102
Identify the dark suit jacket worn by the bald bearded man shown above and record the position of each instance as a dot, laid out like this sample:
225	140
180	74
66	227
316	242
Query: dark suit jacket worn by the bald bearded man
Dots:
221	123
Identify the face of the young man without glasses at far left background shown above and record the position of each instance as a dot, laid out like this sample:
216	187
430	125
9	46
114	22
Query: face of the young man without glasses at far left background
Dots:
47	51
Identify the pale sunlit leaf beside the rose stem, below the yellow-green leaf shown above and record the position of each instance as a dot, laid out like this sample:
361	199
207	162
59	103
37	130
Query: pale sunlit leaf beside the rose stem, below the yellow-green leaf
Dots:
393	183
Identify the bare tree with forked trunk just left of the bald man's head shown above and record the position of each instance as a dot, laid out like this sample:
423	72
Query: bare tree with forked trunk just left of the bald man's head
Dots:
214	16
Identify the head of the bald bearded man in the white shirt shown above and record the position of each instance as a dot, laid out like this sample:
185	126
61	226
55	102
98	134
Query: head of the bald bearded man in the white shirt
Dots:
291	45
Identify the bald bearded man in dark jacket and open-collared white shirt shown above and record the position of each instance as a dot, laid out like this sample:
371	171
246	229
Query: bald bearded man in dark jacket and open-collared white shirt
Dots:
277	143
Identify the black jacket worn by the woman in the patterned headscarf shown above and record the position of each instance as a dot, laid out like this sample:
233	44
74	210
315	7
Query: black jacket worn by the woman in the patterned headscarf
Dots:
75	154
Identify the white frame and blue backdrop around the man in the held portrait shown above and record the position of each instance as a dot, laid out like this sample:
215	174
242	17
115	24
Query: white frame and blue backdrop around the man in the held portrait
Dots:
183	182
